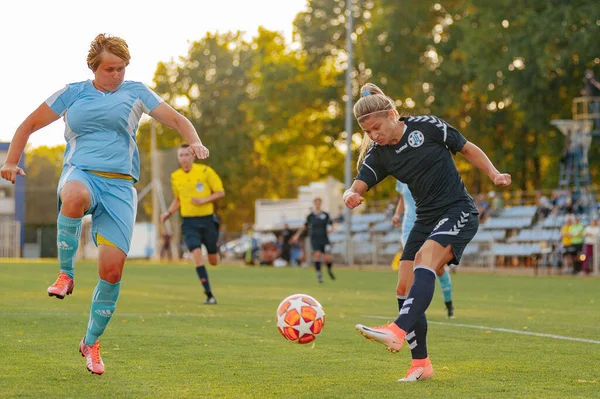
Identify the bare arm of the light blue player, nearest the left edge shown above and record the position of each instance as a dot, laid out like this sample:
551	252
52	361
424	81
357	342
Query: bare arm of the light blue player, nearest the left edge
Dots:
42	116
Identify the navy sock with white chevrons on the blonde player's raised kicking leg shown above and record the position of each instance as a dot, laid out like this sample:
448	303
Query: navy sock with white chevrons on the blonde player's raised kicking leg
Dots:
418	300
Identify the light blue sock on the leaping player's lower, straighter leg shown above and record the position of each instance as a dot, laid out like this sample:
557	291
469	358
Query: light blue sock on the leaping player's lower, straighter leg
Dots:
104	303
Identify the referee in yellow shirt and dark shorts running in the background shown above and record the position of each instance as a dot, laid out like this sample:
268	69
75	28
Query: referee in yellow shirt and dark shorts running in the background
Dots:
195	188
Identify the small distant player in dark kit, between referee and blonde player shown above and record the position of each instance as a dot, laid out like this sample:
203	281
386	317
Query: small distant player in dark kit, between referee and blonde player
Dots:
319	225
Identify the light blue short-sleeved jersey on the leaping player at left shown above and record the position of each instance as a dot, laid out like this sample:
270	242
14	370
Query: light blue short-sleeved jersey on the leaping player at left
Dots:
101	126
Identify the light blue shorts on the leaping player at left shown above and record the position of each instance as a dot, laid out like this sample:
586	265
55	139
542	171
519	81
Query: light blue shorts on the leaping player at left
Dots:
113	207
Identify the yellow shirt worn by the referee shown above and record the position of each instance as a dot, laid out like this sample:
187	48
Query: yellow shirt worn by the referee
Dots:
200	182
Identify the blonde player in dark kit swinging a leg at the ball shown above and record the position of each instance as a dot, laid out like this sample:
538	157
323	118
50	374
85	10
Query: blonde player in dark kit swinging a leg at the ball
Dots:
418	151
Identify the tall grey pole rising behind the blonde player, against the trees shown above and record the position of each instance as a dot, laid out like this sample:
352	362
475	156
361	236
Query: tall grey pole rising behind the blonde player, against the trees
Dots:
348	126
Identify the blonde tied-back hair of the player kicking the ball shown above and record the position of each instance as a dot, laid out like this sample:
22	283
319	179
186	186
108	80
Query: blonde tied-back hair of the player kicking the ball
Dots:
372	101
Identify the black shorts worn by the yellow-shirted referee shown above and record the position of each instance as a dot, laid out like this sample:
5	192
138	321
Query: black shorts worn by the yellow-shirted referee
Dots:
201	230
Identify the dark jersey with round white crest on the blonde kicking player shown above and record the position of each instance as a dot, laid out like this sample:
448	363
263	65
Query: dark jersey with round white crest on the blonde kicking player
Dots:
423	160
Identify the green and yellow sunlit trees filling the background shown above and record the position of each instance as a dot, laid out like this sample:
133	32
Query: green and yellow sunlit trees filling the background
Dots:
273	114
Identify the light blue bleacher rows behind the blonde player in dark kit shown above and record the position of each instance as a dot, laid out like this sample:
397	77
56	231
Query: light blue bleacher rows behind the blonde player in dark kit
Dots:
508	238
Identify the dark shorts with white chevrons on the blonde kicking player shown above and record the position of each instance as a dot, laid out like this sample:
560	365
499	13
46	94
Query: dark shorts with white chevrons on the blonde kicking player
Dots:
456	227
